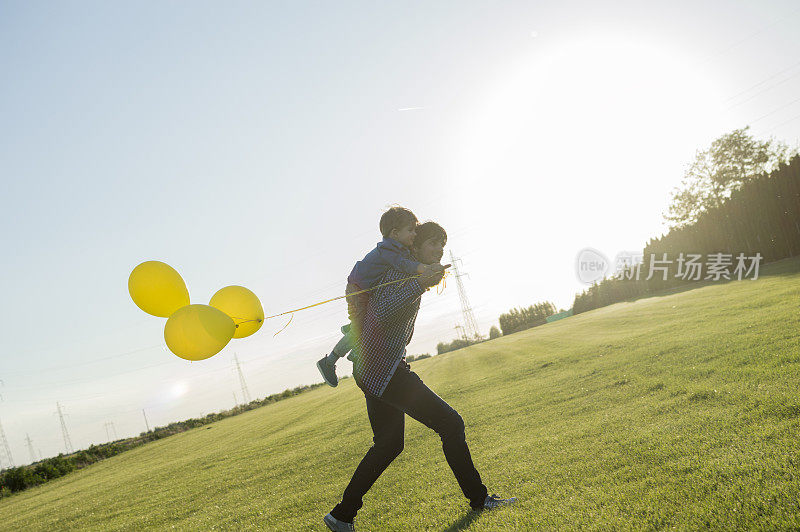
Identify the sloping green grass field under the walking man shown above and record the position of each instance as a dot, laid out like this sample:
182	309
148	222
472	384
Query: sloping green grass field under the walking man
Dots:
675	411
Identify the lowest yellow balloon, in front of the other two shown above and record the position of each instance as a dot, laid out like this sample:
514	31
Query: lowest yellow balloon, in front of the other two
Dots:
197	332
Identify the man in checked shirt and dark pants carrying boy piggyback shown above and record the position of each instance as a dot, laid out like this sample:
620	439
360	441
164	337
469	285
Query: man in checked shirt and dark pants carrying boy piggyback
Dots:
392	390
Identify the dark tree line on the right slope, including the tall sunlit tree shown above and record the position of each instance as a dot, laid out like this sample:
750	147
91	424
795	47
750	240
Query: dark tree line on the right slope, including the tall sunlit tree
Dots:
723	208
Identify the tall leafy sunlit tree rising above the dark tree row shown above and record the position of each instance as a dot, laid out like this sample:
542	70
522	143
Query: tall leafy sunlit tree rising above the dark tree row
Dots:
732	160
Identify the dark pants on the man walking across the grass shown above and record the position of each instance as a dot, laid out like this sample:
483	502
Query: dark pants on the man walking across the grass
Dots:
407	394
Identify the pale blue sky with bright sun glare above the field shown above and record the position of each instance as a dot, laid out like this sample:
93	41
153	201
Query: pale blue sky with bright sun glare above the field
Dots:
258	143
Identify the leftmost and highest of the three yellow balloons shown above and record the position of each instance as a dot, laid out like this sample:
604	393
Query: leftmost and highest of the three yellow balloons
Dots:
157	288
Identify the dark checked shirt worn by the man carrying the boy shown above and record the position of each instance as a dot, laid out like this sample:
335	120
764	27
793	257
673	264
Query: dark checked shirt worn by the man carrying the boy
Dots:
387	329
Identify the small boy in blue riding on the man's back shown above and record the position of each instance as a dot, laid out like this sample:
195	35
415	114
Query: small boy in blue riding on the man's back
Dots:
398	227
